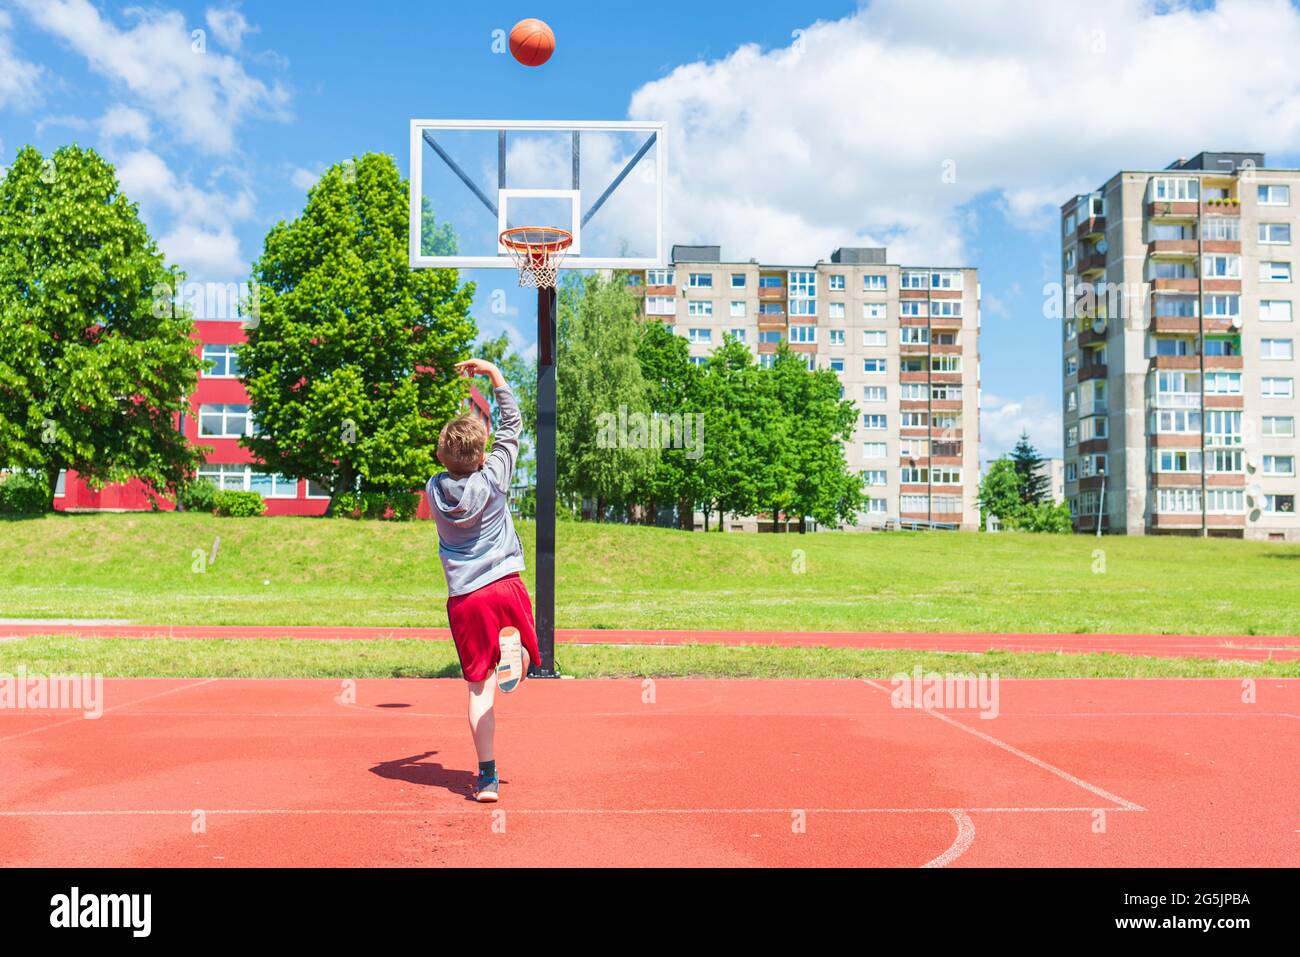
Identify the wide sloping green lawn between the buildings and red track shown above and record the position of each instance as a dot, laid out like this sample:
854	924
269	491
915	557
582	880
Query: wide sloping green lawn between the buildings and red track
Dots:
318	571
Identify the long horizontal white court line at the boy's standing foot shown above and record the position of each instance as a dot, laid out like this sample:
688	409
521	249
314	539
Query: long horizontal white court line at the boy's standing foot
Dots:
604	812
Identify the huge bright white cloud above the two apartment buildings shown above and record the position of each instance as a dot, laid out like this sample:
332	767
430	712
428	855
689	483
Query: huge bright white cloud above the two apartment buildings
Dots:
846	137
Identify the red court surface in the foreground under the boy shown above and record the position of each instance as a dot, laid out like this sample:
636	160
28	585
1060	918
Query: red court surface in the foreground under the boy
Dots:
254	773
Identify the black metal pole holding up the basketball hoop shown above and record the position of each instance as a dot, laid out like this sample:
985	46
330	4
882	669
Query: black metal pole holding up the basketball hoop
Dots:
545	597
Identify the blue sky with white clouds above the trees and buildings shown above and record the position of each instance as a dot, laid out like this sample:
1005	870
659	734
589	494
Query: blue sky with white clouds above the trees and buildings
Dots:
796	127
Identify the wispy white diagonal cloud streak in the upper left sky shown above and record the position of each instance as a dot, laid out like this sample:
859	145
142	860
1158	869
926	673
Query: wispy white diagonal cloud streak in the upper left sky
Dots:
198	94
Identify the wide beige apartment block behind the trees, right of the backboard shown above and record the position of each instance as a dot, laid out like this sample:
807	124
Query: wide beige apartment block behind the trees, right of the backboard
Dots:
904	341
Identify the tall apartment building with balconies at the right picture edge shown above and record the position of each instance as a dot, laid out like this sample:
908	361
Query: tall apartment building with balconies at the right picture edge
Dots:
1180	391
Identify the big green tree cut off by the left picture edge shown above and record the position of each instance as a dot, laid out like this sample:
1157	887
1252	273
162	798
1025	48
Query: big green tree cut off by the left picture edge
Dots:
96	358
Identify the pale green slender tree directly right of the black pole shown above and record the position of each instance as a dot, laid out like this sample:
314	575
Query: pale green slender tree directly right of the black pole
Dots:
603	404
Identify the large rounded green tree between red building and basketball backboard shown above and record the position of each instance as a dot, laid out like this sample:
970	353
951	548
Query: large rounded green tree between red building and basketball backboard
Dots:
350	362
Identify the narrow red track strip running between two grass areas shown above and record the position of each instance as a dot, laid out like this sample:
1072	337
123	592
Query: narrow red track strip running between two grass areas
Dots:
1230	648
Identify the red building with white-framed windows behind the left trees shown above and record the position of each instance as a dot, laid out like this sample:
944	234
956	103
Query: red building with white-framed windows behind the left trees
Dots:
222	417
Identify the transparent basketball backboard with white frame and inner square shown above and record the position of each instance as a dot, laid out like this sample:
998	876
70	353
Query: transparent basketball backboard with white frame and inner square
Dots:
471	180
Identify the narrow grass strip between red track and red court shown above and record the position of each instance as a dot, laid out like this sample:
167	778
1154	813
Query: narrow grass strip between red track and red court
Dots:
413	659
